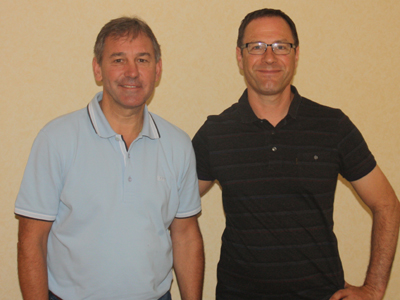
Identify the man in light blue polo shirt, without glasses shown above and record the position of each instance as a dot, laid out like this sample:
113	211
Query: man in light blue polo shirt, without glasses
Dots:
109	200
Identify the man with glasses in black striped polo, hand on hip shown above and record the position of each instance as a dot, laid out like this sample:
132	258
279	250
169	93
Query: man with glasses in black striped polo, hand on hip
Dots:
277	156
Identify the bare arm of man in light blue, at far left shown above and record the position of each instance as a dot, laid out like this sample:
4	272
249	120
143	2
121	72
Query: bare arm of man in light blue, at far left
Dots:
32	256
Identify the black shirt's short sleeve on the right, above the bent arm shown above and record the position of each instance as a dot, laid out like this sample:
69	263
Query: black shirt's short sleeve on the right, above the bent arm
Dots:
356	159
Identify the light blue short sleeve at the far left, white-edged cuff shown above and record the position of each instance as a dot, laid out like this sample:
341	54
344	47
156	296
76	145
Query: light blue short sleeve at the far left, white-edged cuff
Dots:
41	185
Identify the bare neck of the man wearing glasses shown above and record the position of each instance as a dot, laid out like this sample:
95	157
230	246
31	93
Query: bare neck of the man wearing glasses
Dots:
272	108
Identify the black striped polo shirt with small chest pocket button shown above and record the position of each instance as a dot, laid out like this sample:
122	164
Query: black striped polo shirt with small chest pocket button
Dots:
278	186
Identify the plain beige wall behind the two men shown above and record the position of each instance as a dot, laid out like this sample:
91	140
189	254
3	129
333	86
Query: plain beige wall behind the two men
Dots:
349	59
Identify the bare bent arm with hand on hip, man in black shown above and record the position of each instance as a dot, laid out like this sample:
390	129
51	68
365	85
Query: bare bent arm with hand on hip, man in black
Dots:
377	193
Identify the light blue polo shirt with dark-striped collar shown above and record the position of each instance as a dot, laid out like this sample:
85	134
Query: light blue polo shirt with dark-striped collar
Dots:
111	207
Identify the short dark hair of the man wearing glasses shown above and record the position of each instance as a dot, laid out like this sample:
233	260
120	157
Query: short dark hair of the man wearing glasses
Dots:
263	13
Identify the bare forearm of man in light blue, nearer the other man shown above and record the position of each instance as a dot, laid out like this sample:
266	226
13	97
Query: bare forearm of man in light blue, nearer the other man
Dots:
188	252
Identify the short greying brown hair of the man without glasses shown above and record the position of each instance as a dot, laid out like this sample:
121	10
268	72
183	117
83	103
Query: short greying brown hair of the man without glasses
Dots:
121	27
